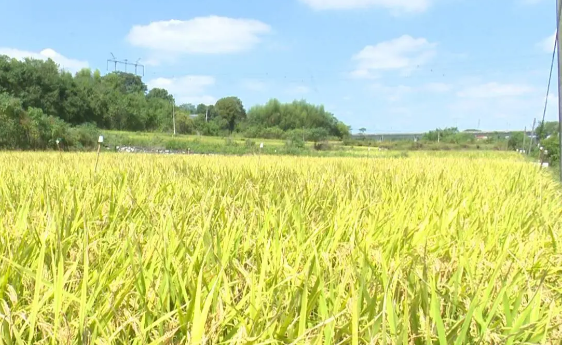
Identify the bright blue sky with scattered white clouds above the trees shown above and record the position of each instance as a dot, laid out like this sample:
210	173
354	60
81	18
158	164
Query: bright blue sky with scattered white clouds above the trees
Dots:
386	65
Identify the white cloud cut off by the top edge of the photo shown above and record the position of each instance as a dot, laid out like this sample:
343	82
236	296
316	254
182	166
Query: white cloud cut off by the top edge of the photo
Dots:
400	5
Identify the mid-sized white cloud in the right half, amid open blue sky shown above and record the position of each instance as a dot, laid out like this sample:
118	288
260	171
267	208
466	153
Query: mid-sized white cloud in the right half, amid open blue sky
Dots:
403	54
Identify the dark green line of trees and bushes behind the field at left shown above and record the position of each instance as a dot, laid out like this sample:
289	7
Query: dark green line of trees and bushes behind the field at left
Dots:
40	103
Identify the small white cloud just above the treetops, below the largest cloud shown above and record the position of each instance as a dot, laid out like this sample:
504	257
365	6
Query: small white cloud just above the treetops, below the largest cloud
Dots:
186	89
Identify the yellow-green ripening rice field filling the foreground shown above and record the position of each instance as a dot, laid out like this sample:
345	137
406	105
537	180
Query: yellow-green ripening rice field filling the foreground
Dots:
425	249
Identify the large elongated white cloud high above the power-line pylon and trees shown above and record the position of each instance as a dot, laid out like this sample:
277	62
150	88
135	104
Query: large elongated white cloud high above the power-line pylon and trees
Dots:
201	35
